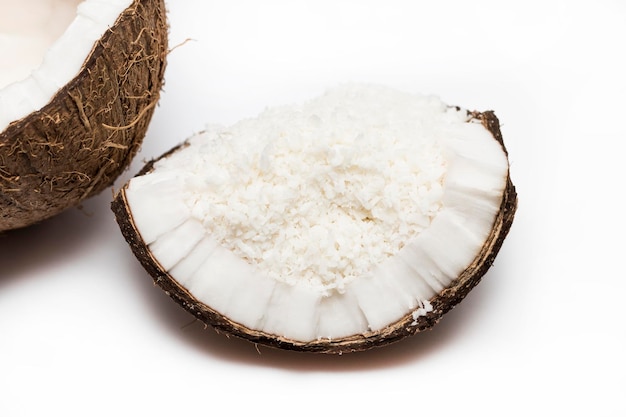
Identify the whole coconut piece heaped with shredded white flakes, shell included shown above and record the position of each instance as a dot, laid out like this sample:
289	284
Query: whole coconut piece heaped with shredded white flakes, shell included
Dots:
349	222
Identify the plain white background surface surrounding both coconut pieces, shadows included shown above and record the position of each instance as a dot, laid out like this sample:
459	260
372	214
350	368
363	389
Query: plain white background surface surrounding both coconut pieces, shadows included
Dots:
84	332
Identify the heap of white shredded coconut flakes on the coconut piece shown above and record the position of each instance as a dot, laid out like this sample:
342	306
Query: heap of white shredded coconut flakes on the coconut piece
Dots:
323	191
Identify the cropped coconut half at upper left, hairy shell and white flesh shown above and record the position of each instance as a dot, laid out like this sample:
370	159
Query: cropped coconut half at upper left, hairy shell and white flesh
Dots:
79	82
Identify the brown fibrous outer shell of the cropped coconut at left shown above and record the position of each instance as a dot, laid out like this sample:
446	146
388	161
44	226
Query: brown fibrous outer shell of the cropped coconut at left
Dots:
84	138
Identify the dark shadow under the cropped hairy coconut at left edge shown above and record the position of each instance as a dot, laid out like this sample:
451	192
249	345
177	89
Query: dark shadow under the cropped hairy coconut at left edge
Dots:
39	246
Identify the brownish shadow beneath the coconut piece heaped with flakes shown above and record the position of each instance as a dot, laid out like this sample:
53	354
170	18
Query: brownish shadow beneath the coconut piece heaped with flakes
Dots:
228	348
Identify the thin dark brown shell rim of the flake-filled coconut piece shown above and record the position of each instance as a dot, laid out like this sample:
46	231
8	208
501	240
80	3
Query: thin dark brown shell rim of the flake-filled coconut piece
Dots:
407	326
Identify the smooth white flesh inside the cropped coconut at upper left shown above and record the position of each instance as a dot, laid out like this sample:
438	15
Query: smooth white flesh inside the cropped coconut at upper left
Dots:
43	44
